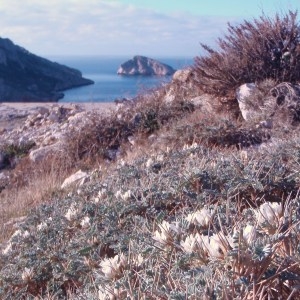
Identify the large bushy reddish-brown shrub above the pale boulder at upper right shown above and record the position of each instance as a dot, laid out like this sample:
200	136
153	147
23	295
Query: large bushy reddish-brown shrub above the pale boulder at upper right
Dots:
251	52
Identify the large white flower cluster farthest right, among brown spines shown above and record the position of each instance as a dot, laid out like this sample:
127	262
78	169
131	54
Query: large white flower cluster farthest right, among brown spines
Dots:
269	215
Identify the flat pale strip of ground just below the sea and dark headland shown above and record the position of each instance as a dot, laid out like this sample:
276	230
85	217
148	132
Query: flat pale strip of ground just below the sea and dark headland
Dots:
13	114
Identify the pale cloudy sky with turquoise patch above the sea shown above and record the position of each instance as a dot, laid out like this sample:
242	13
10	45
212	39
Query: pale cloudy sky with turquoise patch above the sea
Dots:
155	28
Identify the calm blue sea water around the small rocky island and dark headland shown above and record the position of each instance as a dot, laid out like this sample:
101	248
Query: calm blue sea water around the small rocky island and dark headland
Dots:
108	85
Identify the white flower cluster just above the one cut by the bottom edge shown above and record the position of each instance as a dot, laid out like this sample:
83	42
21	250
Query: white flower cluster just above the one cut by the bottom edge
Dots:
113	267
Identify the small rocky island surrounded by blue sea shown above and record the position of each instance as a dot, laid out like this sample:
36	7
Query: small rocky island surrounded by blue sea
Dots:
141	65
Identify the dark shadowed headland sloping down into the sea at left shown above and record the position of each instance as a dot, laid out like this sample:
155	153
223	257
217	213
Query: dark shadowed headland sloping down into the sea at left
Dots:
29	78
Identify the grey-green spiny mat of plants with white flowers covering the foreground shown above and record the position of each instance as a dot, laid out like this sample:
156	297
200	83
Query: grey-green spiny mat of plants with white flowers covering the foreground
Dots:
206	223
